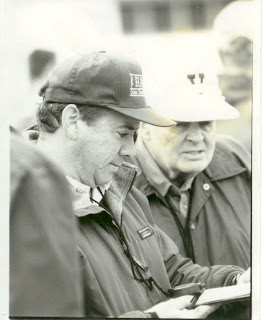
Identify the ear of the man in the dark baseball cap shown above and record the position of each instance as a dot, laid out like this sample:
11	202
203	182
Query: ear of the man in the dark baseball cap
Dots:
70	117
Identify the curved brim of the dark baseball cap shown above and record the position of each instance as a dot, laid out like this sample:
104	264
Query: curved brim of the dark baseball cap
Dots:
145	114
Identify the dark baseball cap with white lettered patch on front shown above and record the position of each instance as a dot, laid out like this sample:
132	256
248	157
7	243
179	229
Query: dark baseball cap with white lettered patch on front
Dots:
102	79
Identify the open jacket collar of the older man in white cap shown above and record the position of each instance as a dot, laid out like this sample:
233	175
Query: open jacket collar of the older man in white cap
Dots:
151	179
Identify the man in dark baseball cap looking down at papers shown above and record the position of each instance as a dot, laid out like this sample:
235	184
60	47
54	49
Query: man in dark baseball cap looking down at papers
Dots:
92	106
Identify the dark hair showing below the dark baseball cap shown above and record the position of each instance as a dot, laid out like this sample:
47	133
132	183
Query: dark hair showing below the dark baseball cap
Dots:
49	115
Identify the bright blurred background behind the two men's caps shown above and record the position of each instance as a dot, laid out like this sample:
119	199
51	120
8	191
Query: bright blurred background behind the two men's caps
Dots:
168	37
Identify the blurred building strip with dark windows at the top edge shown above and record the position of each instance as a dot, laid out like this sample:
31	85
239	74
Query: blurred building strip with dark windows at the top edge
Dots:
142	16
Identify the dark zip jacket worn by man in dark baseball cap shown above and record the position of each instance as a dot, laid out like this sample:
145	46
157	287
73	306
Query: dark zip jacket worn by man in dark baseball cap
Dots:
120	245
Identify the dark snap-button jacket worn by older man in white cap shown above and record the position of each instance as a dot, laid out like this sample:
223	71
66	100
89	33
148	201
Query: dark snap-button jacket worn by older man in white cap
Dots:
217	229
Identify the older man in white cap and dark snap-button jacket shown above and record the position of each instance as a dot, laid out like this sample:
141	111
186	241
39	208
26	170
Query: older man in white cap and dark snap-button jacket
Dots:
198	183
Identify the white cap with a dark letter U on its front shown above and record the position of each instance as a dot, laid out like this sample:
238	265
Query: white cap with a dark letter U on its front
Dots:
198	98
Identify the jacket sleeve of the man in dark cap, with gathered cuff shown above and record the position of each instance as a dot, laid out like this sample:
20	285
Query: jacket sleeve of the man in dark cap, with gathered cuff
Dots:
182	270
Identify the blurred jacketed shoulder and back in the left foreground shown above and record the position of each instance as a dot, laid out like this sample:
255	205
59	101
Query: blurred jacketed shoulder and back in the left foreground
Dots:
44	273
